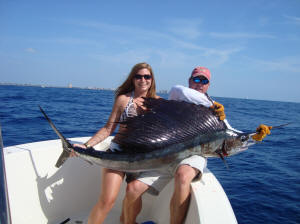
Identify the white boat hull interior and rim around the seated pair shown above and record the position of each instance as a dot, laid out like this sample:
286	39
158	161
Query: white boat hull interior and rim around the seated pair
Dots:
38	192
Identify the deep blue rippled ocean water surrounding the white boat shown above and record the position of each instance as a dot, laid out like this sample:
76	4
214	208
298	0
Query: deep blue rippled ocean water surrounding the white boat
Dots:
262	184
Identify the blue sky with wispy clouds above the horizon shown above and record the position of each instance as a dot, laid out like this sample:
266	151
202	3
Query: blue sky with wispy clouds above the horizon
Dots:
251	47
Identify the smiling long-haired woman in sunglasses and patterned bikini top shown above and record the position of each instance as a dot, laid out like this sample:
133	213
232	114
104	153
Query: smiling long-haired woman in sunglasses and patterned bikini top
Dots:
139	83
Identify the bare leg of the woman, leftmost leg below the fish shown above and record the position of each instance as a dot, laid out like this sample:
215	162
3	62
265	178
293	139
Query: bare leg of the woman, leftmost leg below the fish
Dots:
110	186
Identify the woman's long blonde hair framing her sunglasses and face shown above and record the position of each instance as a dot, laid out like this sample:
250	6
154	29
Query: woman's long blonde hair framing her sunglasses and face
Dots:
128	85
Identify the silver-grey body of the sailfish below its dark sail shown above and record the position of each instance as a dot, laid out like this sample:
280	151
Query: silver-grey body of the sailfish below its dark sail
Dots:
155	159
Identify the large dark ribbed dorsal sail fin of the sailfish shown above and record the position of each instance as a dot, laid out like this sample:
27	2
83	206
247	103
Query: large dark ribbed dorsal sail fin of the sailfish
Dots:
166	122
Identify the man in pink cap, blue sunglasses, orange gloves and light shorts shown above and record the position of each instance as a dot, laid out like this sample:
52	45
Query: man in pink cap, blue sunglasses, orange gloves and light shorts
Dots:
187	170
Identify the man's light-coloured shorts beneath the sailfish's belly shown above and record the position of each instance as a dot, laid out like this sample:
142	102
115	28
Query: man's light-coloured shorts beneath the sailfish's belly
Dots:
158	179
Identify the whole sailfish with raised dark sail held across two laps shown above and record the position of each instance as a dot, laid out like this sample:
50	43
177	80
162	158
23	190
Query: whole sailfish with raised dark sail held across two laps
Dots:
167	132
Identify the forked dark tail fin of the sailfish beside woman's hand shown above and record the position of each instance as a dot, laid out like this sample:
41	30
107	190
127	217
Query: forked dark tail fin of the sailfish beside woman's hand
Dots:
67	146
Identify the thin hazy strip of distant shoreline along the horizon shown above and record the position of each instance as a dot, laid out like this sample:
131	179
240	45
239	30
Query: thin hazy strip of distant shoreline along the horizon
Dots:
70	86
